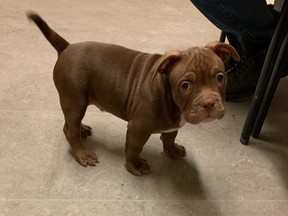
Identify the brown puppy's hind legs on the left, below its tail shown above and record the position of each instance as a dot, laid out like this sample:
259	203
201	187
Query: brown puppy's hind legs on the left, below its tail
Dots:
74	111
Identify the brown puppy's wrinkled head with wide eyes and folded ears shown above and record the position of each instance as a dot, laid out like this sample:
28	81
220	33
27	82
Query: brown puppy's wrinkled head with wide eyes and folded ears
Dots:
198	80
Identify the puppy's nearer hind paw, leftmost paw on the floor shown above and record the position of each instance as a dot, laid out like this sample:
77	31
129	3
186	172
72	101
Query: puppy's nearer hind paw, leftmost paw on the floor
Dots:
85	157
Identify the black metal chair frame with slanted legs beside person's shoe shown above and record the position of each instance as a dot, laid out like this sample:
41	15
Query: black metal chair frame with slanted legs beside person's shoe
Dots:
276	62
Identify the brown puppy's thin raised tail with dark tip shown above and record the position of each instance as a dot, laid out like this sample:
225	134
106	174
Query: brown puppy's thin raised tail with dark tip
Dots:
55	40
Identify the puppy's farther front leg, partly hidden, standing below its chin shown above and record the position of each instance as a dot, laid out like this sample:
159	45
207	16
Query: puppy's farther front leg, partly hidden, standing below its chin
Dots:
172	149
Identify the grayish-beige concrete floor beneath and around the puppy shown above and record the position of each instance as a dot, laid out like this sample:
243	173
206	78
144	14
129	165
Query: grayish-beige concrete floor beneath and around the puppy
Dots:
38	176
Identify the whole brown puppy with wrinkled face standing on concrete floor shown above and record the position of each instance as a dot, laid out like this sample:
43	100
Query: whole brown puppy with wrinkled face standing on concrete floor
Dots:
153	93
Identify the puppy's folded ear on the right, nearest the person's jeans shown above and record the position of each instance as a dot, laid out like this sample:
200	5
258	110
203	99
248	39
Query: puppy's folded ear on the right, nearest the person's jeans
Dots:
223	50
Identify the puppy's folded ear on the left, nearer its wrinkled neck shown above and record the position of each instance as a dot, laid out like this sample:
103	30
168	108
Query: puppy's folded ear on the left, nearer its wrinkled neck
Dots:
166	62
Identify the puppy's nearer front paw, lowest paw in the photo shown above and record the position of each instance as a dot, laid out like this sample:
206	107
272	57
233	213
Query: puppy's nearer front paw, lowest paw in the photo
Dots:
138	167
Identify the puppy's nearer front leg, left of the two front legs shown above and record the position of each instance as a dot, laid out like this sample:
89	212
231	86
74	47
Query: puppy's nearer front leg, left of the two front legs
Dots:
135	140
